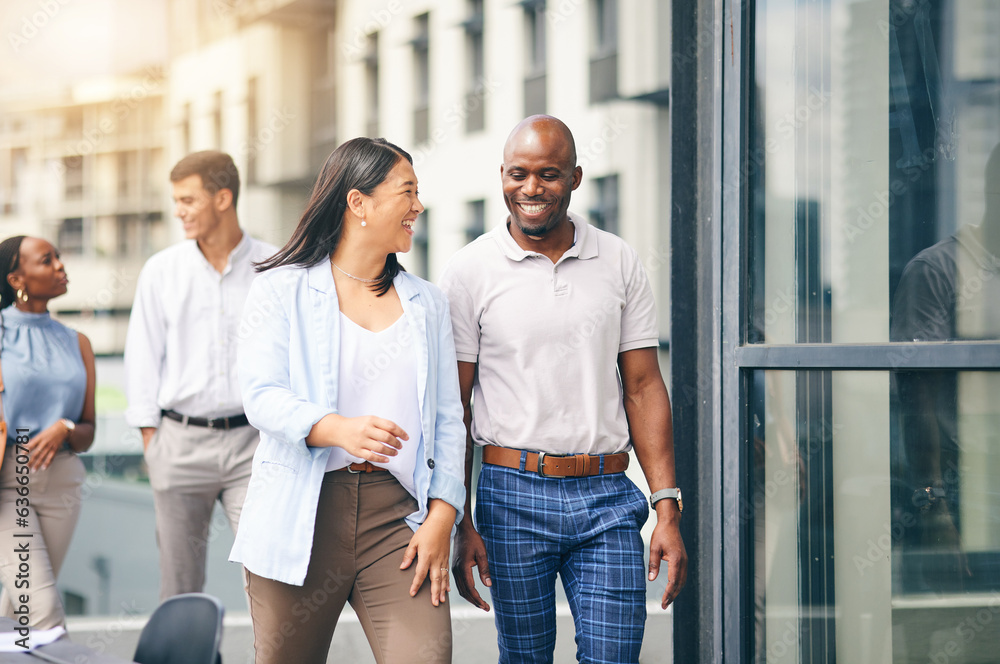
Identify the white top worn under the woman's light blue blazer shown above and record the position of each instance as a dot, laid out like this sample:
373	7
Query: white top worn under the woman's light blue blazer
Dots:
378	376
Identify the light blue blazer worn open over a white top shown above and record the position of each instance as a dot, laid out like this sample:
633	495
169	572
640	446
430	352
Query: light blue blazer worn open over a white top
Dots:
288	369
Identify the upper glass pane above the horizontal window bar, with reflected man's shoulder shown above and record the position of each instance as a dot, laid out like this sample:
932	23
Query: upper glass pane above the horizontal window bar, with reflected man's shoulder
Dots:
875	201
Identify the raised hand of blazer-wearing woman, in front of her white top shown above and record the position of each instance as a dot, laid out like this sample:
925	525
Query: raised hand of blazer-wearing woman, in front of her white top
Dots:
371	438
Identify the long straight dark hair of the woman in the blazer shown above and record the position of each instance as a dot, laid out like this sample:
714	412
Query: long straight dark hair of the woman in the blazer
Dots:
360	163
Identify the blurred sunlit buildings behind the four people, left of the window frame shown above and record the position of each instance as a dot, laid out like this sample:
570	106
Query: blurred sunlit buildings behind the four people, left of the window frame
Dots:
84	161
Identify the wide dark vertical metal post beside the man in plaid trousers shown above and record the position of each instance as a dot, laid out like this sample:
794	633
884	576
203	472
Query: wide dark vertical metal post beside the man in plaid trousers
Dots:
695	233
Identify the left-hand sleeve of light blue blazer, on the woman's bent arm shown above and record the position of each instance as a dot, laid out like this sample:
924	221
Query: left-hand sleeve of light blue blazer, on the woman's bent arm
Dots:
263	362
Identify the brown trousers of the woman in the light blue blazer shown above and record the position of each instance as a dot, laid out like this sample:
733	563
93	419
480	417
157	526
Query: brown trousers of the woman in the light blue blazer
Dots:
359	541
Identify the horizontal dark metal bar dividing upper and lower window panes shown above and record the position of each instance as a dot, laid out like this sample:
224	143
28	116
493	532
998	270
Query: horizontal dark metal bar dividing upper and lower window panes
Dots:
975	355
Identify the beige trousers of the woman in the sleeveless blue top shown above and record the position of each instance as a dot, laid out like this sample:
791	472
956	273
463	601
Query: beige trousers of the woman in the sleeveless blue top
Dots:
52	512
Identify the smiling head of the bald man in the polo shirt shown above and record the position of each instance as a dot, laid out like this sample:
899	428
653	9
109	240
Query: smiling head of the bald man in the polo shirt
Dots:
539	174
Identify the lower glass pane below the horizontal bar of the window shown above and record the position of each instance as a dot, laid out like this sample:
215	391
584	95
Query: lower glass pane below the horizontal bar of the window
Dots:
875	514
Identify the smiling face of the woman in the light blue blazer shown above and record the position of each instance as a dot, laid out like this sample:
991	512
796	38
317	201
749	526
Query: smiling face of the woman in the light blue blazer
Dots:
392	209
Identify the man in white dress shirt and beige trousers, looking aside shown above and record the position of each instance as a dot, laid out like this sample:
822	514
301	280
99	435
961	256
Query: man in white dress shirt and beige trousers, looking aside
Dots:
180	368
